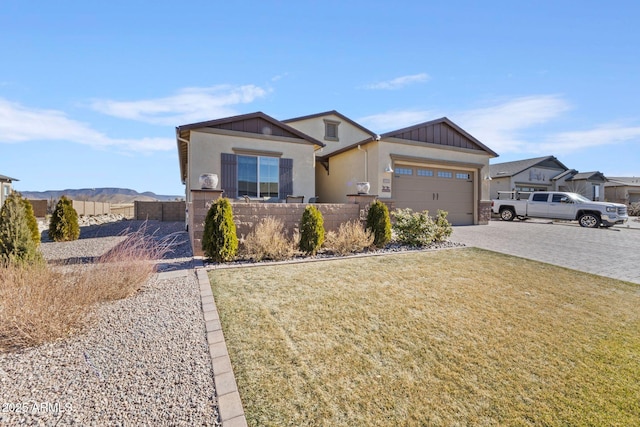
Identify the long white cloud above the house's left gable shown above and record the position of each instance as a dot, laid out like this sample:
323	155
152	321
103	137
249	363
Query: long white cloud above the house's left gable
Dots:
187	106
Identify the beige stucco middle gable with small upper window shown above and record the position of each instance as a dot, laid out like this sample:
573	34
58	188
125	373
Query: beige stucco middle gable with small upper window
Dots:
347	133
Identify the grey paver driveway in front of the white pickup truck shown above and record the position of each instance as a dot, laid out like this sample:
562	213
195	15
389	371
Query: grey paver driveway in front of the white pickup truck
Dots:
613	252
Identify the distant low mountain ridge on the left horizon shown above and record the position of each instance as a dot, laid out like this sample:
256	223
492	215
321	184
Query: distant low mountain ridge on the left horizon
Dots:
105	195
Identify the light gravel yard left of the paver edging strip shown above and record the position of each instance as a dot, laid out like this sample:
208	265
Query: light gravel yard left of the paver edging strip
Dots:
143	361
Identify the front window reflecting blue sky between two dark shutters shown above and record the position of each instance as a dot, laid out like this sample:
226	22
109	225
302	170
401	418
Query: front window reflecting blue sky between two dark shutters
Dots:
258	176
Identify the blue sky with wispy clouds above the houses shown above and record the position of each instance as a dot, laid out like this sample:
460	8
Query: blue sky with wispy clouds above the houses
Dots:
91	92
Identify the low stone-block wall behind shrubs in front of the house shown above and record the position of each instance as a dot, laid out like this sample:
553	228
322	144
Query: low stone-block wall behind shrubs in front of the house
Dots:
247	215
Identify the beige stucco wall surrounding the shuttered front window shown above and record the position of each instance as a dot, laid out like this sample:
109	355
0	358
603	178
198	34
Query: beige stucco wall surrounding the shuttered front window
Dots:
206	146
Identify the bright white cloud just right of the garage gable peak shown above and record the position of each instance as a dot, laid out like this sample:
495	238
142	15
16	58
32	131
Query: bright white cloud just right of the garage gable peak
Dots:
501	127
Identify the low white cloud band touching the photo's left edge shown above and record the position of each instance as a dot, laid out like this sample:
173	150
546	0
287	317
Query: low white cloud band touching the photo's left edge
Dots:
22	124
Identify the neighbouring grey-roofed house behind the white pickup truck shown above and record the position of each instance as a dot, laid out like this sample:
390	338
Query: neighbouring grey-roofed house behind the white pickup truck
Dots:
545	174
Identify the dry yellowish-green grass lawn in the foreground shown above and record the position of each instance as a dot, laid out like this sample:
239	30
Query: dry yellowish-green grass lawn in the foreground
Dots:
455	337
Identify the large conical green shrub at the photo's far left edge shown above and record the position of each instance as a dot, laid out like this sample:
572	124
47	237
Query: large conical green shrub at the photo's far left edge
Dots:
17	245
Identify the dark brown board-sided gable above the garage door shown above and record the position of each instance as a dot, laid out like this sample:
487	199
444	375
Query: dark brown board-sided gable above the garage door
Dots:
440	132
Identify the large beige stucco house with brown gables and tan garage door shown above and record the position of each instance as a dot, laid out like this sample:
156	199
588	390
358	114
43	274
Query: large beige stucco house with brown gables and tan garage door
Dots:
429	166
